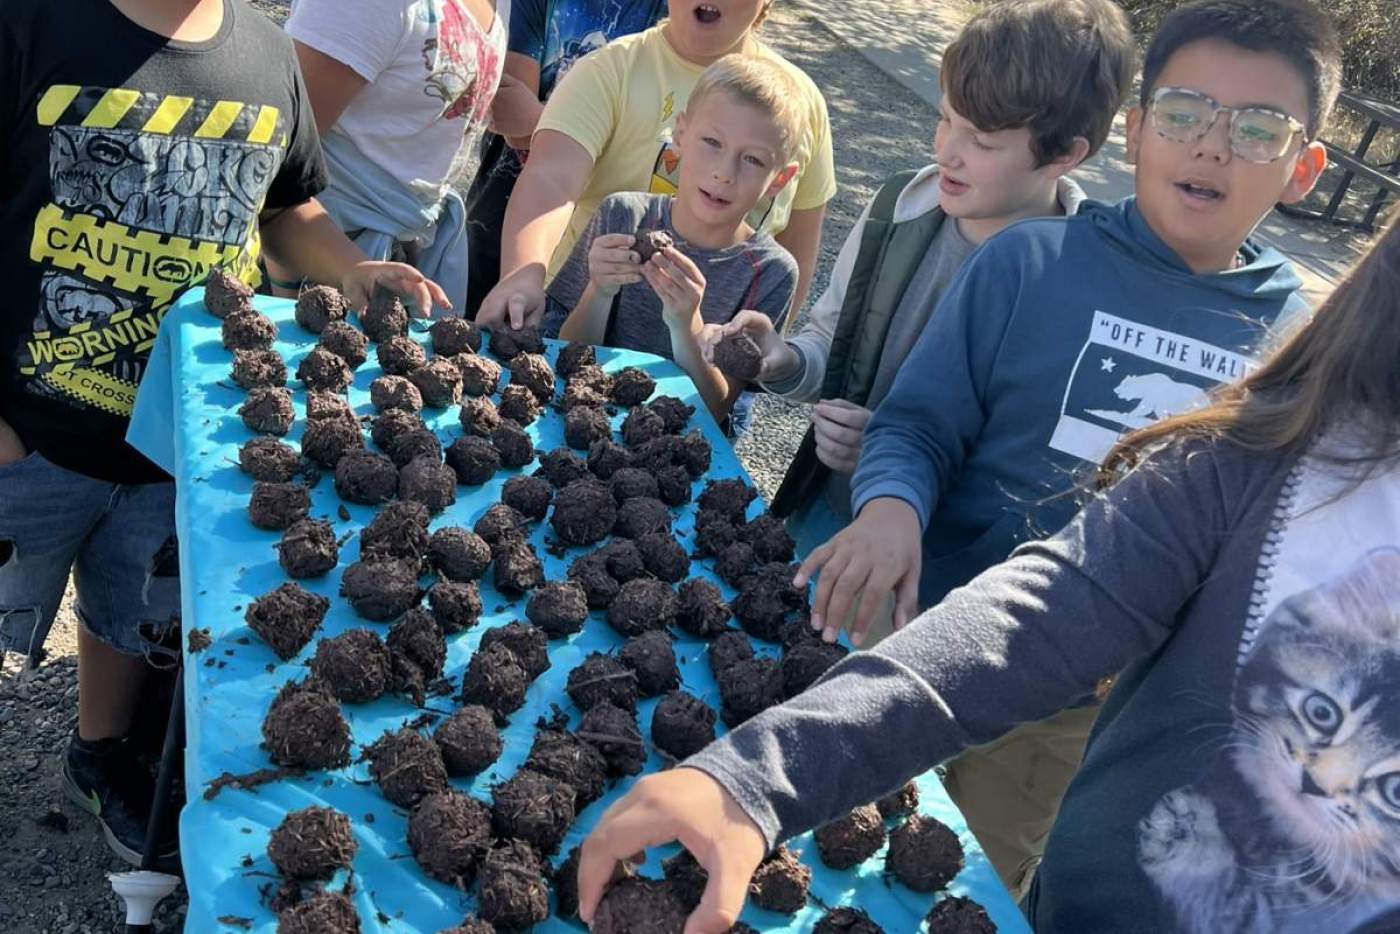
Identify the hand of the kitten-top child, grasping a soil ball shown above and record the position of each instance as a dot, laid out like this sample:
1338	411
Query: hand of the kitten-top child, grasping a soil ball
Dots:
691	807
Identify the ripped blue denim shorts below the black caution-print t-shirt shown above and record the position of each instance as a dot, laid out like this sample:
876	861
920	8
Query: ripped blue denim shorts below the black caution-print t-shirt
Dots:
117	540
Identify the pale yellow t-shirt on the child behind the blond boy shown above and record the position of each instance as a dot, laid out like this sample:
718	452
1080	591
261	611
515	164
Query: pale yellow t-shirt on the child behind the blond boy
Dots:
621	104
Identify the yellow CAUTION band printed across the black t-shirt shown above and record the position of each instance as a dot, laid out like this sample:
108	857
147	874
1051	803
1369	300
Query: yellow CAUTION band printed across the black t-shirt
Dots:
132	261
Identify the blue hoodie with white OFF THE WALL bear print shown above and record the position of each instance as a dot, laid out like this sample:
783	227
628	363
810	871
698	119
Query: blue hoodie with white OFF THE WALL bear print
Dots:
1056	337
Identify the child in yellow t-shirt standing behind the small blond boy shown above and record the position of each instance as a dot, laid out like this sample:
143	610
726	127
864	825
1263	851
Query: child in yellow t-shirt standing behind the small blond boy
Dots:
608	130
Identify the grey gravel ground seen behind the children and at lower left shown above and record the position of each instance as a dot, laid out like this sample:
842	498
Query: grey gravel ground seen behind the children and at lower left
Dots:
52	874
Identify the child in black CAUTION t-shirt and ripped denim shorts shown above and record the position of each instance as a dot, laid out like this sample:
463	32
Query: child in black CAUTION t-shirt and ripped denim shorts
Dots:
141	145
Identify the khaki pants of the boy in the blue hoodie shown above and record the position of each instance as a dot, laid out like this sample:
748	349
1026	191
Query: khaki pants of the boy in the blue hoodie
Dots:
1010	790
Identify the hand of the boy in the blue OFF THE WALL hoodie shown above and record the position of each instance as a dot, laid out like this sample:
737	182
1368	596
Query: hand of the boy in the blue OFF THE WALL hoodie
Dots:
877	554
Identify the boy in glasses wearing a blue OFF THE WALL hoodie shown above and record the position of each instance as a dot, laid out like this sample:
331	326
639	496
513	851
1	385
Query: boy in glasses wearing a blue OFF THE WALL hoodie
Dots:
1062	334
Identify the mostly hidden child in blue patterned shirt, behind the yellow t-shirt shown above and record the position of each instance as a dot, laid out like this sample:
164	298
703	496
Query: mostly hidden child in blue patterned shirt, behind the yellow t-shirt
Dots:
547	39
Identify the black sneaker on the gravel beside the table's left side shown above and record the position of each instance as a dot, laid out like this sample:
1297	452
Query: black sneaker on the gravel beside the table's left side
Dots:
104	779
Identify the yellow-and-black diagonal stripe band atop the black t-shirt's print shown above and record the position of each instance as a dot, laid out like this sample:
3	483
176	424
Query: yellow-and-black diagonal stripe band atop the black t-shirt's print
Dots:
163	114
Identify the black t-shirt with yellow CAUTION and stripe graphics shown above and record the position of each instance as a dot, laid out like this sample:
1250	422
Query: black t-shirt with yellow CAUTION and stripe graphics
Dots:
129	165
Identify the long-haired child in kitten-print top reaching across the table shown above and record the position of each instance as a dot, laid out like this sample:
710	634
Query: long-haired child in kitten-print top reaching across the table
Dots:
1245	579
